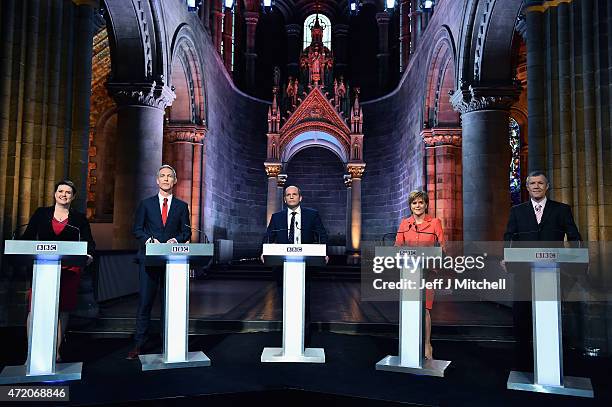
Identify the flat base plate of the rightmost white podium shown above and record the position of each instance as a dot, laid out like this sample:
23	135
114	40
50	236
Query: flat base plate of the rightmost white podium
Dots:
573	386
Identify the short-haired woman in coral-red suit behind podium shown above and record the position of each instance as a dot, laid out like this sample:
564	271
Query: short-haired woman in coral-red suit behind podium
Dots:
420	229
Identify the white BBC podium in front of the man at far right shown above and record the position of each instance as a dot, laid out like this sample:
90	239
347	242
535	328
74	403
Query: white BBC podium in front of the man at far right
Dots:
547	333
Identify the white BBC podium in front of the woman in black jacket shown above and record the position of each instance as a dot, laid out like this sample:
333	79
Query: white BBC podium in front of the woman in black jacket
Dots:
48	257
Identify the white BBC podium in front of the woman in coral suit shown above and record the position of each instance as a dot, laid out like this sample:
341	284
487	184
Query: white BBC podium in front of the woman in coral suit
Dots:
411	318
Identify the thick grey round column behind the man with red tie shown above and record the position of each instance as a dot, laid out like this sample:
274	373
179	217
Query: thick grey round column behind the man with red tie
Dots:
140	124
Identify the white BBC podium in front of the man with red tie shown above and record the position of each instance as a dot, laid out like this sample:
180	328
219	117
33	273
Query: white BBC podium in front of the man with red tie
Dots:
176	258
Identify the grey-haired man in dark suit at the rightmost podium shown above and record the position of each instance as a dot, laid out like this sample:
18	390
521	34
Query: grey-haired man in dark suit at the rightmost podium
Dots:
536	223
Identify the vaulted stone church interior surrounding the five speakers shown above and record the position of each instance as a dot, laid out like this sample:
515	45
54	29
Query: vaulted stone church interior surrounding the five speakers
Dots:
356	102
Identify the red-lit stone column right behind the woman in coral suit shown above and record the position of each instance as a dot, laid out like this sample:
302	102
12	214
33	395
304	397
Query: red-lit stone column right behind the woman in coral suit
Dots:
444	178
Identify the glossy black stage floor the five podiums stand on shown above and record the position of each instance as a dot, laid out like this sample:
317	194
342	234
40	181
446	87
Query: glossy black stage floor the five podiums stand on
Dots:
476	377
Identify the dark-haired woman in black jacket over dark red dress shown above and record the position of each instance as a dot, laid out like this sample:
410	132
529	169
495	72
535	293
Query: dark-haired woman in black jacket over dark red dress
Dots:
60	222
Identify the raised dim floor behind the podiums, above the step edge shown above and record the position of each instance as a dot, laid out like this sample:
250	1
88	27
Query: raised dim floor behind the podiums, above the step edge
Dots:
253	305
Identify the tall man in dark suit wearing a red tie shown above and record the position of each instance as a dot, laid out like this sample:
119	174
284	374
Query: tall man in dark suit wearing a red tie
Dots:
161	218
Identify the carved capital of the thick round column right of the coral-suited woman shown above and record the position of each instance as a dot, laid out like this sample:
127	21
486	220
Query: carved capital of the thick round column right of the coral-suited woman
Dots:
469	99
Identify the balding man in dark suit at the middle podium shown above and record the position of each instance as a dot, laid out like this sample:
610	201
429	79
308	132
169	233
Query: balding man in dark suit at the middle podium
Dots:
296	225
